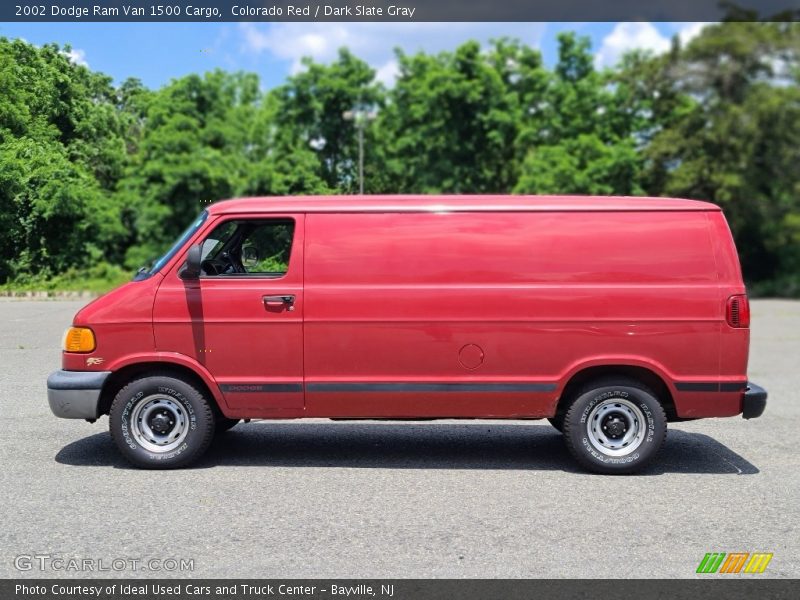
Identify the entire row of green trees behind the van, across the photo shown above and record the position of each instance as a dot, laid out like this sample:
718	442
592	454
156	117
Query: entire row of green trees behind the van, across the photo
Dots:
93	173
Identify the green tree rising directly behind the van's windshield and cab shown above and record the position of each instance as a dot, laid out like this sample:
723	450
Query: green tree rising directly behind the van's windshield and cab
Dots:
203	139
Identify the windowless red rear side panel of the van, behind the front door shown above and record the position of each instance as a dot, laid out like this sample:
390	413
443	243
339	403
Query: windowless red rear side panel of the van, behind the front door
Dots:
488	314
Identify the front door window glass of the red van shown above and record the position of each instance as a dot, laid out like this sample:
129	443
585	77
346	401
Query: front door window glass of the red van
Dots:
248	247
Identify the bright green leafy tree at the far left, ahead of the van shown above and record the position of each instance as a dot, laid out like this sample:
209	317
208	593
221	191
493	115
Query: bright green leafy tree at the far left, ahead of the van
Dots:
61	154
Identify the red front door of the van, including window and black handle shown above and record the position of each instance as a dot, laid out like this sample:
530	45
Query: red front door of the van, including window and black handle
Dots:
243	319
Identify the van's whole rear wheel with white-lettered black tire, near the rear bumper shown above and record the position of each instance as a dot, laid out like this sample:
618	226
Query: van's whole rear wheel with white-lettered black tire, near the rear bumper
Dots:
615	406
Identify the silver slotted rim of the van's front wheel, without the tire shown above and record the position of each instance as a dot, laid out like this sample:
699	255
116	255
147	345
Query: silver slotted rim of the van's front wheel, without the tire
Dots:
159	423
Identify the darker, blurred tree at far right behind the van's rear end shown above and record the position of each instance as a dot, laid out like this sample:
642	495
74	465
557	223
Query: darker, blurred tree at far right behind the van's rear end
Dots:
736	142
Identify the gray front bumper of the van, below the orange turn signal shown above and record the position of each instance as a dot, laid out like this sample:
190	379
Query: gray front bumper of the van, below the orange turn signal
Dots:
75	394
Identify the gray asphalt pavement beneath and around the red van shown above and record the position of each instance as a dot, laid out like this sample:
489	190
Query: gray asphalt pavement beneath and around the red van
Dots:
373	499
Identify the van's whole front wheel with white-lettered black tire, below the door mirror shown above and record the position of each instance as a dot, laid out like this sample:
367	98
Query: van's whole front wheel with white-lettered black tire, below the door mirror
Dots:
178	418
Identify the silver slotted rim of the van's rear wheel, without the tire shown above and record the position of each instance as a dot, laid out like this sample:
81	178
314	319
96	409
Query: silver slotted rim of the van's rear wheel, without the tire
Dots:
616	427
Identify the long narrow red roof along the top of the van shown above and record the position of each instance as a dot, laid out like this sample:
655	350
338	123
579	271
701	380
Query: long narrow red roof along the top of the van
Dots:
455	203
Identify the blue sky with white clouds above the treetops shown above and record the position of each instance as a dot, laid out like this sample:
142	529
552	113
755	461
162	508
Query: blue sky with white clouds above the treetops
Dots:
158	52
